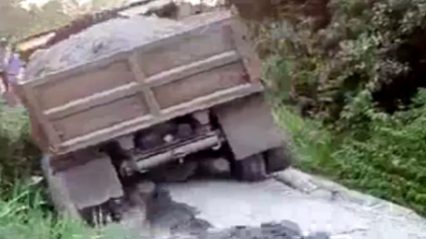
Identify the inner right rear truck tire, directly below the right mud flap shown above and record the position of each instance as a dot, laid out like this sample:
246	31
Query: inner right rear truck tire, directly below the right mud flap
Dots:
250	169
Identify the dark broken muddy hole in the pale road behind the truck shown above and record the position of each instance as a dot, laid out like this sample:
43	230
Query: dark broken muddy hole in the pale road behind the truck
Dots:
182	220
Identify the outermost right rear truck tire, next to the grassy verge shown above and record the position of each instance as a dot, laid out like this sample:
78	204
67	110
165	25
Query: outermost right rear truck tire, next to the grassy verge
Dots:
277	159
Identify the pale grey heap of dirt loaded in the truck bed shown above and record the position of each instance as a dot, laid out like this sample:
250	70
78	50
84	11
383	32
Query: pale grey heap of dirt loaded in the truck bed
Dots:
100	40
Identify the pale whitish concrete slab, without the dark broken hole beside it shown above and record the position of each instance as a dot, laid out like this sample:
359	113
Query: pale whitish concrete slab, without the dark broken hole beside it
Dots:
226	204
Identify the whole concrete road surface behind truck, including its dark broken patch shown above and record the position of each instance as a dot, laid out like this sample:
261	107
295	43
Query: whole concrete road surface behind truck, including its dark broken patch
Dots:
216	209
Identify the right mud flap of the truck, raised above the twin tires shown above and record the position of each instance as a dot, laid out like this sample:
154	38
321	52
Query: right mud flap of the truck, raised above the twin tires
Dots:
249	126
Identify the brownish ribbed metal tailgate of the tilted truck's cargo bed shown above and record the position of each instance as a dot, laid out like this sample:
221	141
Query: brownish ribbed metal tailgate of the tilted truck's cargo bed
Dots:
208	64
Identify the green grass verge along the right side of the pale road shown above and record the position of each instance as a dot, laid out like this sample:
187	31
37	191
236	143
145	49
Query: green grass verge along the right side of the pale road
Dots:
390	164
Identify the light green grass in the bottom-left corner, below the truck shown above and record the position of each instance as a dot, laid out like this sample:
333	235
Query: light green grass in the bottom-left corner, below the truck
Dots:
24	214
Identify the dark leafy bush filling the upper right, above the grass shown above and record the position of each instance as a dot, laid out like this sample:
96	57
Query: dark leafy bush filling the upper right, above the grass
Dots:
367	45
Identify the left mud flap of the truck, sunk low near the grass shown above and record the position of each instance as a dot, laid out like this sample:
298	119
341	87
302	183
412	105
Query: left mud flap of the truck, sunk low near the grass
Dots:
82	186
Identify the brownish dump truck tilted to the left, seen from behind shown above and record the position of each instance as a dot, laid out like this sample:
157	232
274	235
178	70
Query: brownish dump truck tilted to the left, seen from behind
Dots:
197	91
